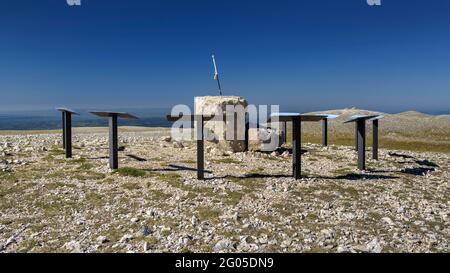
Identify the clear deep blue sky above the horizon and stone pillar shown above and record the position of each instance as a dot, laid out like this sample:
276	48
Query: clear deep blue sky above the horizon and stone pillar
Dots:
307	55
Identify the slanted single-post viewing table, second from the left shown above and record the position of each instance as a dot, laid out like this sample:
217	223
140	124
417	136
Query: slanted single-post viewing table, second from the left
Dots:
113	140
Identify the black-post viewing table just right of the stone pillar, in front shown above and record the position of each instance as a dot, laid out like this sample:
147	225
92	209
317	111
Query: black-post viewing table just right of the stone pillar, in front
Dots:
295	118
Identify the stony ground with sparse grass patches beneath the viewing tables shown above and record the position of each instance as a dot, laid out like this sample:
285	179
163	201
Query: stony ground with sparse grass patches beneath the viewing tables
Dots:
249	202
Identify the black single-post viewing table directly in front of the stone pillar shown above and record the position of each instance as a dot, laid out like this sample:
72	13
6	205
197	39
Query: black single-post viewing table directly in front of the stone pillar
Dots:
199	123
